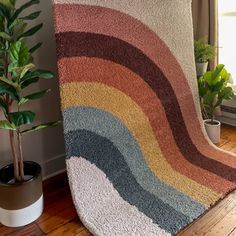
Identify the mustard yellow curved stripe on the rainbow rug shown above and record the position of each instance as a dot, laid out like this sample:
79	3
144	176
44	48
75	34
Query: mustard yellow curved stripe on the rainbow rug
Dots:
122	106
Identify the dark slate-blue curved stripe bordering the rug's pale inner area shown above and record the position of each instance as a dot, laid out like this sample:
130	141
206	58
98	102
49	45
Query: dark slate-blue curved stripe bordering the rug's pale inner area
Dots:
101	152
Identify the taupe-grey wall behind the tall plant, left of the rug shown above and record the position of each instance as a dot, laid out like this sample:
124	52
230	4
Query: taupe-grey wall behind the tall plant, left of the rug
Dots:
46	146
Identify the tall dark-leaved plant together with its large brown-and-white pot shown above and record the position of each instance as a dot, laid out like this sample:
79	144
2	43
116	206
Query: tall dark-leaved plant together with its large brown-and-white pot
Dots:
21	198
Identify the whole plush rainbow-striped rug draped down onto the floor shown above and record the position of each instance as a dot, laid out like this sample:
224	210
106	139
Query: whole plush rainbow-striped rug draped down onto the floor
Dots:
139	162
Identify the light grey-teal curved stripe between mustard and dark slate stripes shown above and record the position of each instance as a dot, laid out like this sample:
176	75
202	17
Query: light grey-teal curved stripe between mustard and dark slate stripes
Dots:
106	125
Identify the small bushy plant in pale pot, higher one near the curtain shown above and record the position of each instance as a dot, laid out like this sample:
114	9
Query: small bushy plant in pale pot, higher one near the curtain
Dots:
203	52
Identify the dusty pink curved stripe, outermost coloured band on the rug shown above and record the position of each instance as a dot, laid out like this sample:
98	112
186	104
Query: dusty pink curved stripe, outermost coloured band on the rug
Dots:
114	23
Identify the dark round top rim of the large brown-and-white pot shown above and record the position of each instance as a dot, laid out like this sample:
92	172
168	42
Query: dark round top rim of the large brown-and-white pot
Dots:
36	174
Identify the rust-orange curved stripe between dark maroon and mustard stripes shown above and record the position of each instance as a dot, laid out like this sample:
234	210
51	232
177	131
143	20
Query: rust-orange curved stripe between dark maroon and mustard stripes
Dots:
93	69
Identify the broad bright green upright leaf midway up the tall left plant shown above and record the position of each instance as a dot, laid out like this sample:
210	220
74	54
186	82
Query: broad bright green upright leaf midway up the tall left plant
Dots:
19	55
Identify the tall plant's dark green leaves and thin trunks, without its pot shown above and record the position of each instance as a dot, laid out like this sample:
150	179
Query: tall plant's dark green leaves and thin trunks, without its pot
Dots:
18	72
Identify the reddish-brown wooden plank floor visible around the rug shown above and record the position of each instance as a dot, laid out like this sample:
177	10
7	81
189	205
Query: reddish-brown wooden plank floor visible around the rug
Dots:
60	218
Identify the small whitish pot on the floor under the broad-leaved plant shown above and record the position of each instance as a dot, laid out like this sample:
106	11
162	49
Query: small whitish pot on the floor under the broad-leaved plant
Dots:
213	130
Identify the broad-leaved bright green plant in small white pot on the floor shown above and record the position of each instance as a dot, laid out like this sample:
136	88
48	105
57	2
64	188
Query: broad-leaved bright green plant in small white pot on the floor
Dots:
213	90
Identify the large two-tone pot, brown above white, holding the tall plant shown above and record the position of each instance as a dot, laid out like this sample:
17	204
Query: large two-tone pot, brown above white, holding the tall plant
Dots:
21	203
